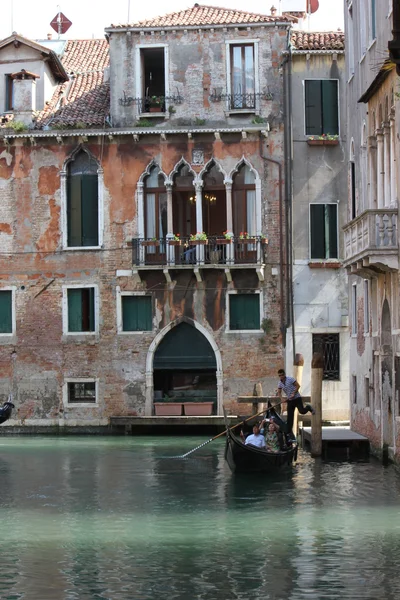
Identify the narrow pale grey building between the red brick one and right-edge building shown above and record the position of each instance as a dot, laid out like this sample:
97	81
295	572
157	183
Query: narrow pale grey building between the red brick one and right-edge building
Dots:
319	201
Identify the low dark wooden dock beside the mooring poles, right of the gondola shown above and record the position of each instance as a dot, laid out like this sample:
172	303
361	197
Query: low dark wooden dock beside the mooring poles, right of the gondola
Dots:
338	442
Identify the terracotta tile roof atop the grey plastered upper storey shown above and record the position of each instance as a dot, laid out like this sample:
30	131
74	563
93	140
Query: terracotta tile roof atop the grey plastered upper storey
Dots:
201	15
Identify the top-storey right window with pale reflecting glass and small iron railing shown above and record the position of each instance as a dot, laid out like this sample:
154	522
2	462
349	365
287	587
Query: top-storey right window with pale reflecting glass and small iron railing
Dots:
242	76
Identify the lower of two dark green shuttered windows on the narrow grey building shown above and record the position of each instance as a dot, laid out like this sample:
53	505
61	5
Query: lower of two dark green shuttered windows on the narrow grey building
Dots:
323	231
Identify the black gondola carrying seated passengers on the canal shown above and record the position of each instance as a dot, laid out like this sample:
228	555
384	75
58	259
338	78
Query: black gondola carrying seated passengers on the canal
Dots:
249	459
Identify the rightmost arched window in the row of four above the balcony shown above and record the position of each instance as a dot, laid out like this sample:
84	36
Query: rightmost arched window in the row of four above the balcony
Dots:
244	202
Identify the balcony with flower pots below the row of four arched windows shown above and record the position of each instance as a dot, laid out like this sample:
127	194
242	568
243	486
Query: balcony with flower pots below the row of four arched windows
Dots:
214	253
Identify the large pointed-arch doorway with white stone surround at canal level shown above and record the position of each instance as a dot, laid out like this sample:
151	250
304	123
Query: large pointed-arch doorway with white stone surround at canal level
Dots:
184	361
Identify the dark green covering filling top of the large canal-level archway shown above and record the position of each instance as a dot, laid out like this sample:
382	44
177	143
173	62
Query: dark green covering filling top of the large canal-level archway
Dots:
184	347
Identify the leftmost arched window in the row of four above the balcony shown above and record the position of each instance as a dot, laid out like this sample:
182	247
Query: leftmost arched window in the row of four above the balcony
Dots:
155	214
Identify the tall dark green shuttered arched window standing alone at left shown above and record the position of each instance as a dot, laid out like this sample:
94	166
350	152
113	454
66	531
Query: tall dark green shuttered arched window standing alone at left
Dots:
82	201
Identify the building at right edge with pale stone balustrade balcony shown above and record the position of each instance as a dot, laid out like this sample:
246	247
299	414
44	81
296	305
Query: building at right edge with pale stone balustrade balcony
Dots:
371	233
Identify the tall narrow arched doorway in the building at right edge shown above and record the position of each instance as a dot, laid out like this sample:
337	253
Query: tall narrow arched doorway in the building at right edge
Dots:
387	413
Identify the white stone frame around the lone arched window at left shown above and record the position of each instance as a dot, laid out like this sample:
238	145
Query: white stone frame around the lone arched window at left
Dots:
64	202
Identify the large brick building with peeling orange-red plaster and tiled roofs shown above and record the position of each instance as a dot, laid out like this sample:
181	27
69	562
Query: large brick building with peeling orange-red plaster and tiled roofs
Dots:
143	227
